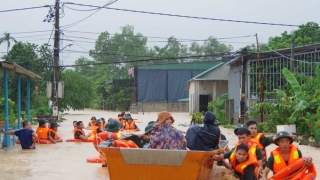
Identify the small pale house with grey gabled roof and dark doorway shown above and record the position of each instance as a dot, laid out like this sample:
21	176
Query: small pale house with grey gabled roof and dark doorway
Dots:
207	86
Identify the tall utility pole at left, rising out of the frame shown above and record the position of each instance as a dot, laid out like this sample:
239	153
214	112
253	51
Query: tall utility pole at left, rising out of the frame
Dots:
55	97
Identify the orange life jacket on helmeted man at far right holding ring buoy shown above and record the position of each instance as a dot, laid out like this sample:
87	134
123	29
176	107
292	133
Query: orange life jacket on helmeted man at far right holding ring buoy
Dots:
278	161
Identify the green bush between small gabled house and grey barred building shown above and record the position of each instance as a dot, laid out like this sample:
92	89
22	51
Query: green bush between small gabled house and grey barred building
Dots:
218	106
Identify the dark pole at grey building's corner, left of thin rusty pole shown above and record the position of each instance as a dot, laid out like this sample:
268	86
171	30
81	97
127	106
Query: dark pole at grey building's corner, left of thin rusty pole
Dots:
243	85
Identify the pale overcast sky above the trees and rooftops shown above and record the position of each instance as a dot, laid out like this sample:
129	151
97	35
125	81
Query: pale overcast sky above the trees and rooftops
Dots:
274	11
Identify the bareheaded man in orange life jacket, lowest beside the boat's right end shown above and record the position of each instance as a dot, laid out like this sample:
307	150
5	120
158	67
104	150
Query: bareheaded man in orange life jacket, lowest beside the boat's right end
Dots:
243	163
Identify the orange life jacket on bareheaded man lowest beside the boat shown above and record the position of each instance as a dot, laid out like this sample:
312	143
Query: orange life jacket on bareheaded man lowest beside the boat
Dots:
240	167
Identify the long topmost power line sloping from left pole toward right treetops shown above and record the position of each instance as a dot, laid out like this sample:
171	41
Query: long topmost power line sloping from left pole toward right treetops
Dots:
190	17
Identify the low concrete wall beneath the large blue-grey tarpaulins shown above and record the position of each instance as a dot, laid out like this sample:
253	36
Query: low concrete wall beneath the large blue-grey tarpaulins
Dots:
157	107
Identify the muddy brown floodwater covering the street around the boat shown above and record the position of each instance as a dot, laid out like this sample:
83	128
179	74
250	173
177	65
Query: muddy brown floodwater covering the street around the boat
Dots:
67	160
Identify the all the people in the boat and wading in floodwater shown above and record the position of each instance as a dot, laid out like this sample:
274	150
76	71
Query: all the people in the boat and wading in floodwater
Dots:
248	159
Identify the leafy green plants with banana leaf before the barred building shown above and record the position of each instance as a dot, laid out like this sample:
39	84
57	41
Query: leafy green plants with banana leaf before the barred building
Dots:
297	104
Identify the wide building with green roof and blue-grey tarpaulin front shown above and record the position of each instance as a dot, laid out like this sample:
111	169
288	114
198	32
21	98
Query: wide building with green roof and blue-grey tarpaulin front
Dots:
160	87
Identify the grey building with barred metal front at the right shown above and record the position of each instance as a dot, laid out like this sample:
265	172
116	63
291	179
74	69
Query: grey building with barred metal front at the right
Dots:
272	63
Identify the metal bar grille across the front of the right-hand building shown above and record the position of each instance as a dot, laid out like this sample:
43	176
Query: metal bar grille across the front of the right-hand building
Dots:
271	70
